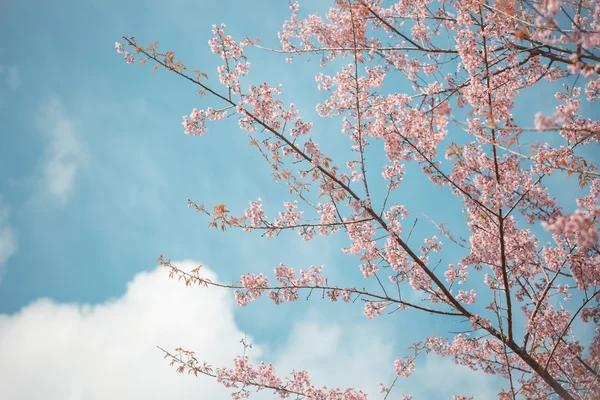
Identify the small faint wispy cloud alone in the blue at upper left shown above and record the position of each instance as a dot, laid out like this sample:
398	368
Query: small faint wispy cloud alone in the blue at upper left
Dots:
65	152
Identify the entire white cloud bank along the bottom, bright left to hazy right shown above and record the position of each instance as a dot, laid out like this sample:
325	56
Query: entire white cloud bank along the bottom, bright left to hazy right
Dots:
68	351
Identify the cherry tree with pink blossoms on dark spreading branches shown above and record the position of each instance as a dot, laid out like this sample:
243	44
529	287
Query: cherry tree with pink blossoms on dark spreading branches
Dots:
464	62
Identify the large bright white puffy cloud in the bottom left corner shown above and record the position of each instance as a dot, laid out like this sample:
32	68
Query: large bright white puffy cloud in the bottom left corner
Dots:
68	351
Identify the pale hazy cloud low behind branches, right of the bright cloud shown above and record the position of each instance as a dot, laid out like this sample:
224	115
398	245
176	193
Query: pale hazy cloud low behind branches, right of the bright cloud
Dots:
361	356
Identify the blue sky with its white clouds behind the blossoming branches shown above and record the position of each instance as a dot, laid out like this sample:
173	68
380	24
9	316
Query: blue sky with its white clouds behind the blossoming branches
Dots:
94	175
